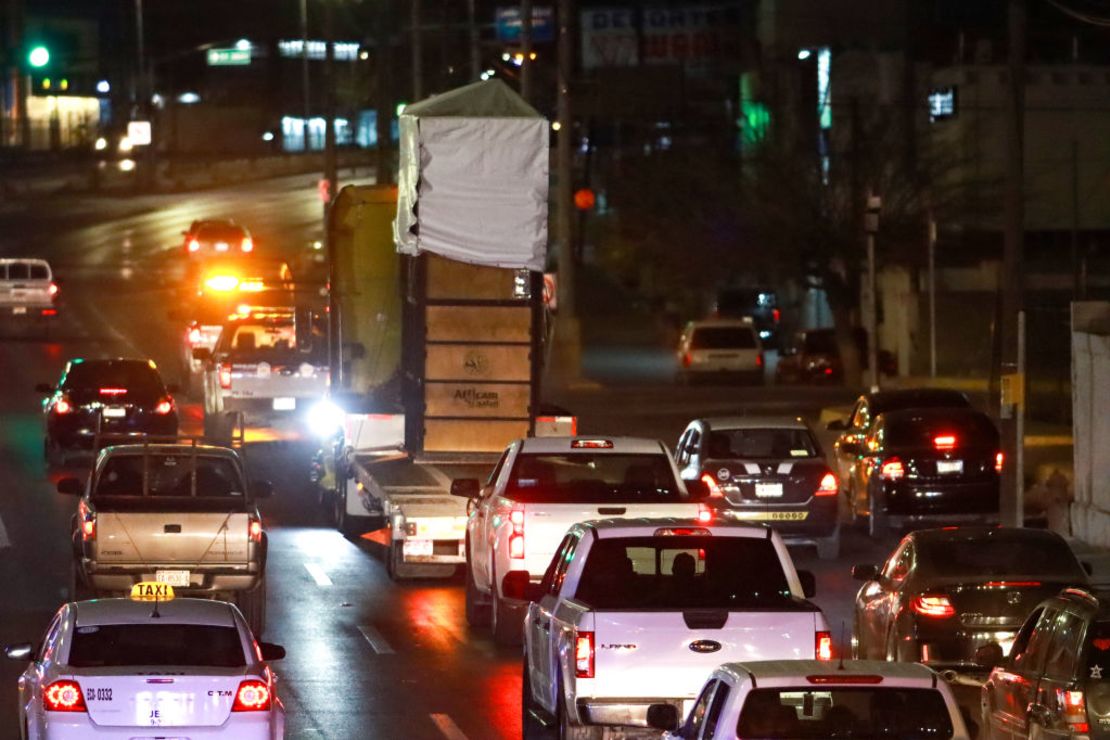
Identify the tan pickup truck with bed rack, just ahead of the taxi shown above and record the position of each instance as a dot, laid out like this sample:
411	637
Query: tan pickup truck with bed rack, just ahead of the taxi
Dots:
180	514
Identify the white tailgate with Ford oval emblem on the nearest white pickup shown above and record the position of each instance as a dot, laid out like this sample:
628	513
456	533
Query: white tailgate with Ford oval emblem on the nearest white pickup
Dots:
670	654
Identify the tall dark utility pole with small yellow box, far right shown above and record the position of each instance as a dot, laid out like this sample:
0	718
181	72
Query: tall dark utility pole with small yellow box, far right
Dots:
1012	275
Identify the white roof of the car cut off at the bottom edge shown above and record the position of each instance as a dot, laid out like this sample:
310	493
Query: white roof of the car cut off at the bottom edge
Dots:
788	673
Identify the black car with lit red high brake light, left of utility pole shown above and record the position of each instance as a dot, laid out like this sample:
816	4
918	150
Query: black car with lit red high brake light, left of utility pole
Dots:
927	465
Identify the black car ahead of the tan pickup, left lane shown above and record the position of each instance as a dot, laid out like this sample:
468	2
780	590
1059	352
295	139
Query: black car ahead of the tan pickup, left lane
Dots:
106	398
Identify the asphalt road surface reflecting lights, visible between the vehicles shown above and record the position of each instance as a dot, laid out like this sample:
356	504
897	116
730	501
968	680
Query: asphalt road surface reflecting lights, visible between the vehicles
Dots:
367	658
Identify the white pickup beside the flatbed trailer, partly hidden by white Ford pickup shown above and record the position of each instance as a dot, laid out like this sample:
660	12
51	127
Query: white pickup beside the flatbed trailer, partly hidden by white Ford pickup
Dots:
540	489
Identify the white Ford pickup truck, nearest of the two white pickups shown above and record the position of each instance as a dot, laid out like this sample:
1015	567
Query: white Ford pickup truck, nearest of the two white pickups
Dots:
634	614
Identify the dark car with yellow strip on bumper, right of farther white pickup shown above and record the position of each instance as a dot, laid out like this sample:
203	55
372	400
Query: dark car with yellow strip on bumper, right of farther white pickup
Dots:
769	470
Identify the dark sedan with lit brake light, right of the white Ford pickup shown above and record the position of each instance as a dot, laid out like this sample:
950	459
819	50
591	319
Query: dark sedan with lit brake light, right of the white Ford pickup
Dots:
943	594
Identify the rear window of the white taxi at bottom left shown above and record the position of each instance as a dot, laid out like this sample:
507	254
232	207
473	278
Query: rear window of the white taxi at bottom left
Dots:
103	646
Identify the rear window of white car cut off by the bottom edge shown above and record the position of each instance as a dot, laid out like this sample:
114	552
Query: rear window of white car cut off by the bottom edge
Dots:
849	713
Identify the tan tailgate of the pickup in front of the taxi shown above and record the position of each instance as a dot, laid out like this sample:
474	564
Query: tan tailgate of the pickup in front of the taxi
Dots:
159	538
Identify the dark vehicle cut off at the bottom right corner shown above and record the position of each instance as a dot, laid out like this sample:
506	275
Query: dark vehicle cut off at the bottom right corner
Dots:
1056	681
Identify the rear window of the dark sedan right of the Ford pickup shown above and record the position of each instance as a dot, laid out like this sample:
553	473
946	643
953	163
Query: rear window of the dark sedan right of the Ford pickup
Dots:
1000	556
